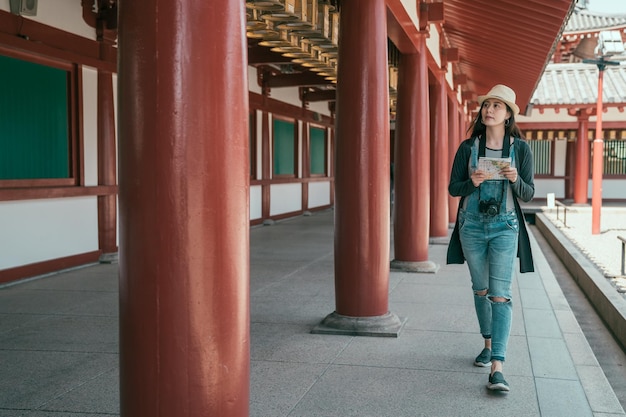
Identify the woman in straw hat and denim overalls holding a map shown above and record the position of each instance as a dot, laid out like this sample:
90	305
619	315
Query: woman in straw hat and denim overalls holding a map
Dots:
491	171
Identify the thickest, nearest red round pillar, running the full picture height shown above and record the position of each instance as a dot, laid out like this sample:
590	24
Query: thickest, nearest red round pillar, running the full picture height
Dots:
184	202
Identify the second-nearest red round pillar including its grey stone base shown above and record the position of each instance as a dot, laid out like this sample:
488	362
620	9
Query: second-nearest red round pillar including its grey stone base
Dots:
362	174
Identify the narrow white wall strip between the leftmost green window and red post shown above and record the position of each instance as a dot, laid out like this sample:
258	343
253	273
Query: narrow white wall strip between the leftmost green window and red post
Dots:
90	125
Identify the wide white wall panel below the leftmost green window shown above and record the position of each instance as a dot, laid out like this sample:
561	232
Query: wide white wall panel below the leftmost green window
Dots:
39	230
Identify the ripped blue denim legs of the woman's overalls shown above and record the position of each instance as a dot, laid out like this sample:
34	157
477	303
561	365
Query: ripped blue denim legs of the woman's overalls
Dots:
490	248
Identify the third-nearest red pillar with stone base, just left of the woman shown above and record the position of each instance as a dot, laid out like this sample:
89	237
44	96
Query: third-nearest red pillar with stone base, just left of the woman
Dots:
412	165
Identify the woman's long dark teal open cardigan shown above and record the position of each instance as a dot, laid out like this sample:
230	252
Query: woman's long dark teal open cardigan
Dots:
461	185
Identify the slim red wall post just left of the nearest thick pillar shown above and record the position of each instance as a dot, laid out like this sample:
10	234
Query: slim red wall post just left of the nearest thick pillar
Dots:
107	168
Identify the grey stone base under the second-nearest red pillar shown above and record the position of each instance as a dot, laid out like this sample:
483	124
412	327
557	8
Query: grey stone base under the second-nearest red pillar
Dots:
388	325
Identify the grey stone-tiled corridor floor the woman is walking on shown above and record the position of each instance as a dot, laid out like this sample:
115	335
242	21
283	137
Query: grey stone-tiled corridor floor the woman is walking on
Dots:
59	342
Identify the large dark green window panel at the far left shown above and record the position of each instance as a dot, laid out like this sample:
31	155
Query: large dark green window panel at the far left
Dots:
34	131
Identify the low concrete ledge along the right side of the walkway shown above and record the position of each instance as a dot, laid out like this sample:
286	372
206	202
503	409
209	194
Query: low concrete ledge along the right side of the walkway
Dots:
609	304
